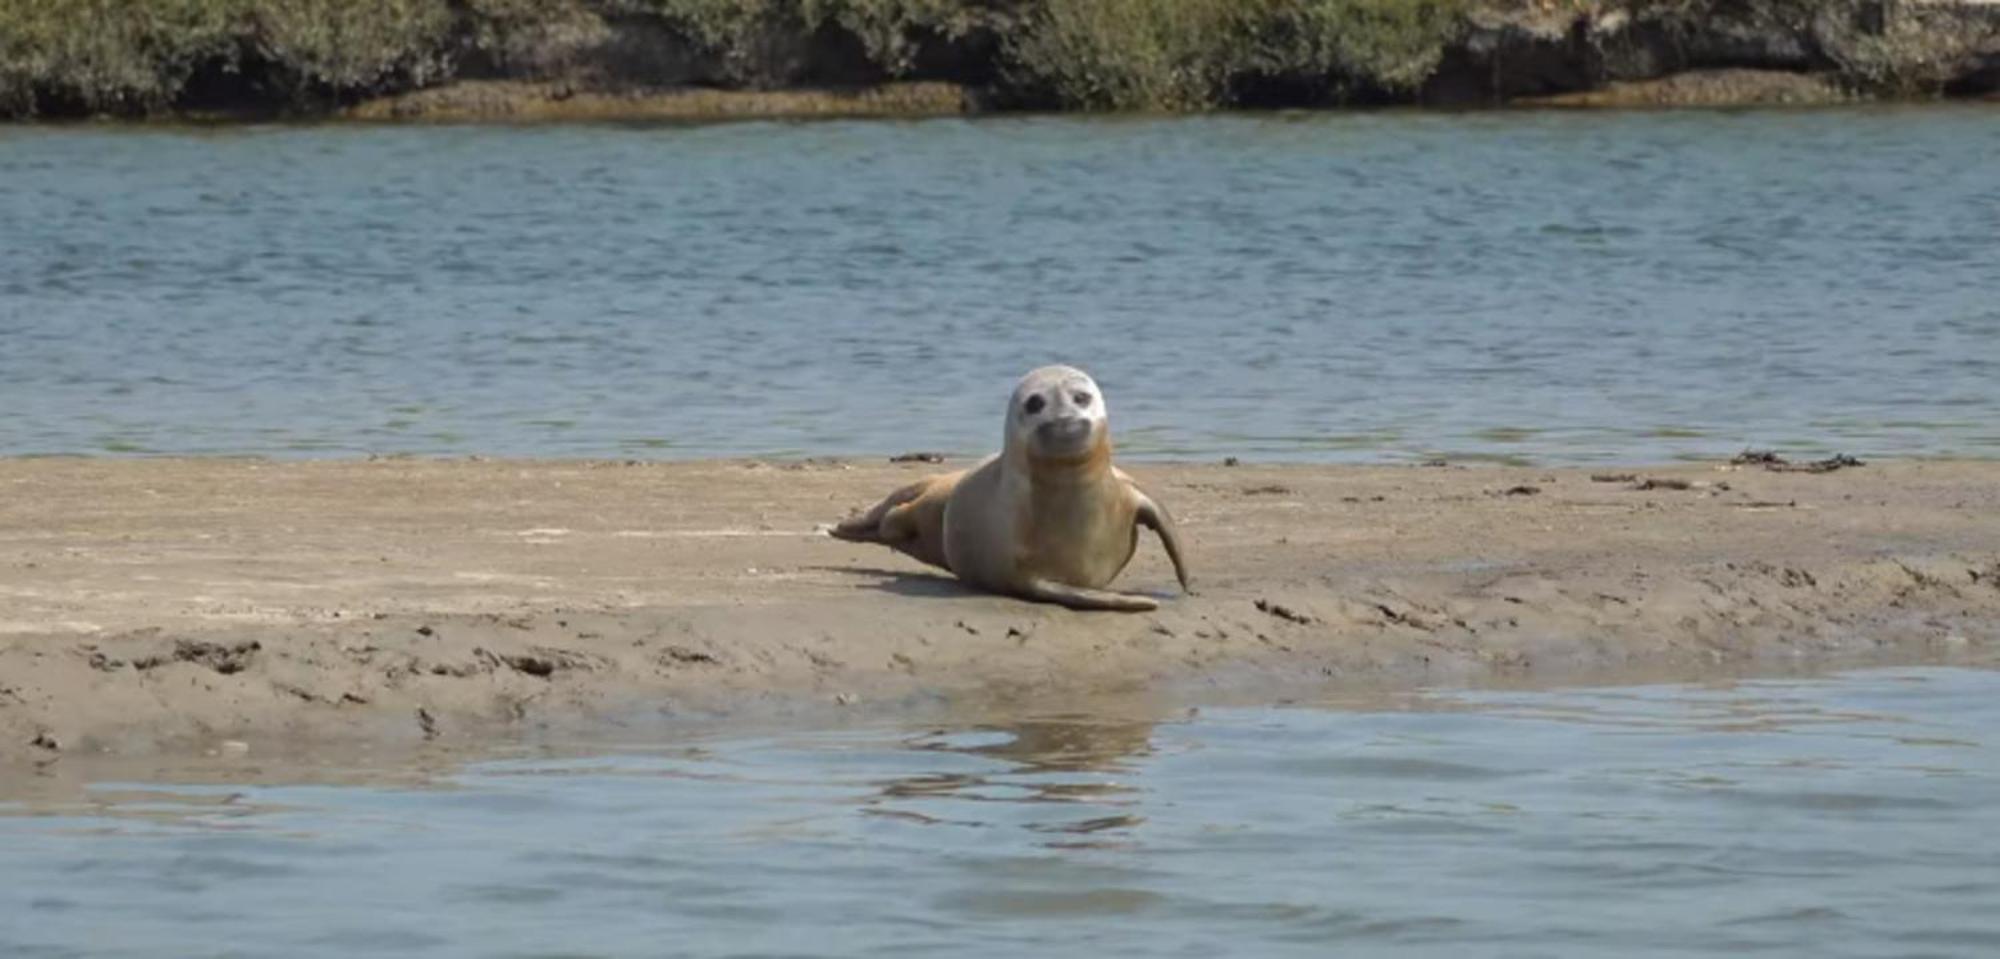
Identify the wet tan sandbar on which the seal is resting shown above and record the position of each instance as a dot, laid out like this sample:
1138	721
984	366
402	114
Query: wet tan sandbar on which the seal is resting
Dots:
199	606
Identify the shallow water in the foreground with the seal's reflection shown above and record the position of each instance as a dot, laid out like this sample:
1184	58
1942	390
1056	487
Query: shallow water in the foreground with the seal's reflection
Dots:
1853	816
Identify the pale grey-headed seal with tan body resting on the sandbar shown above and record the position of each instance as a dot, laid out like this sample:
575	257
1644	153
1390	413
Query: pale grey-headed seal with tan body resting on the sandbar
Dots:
1049	518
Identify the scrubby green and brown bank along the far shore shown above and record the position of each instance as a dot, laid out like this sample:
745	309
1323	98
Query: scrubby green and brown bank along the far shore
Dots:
151	57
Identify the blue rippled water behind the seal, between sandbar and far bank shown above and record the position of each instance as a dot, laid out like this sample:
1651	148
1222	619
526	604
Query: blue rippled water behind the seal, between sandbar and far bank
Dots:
1553	287
